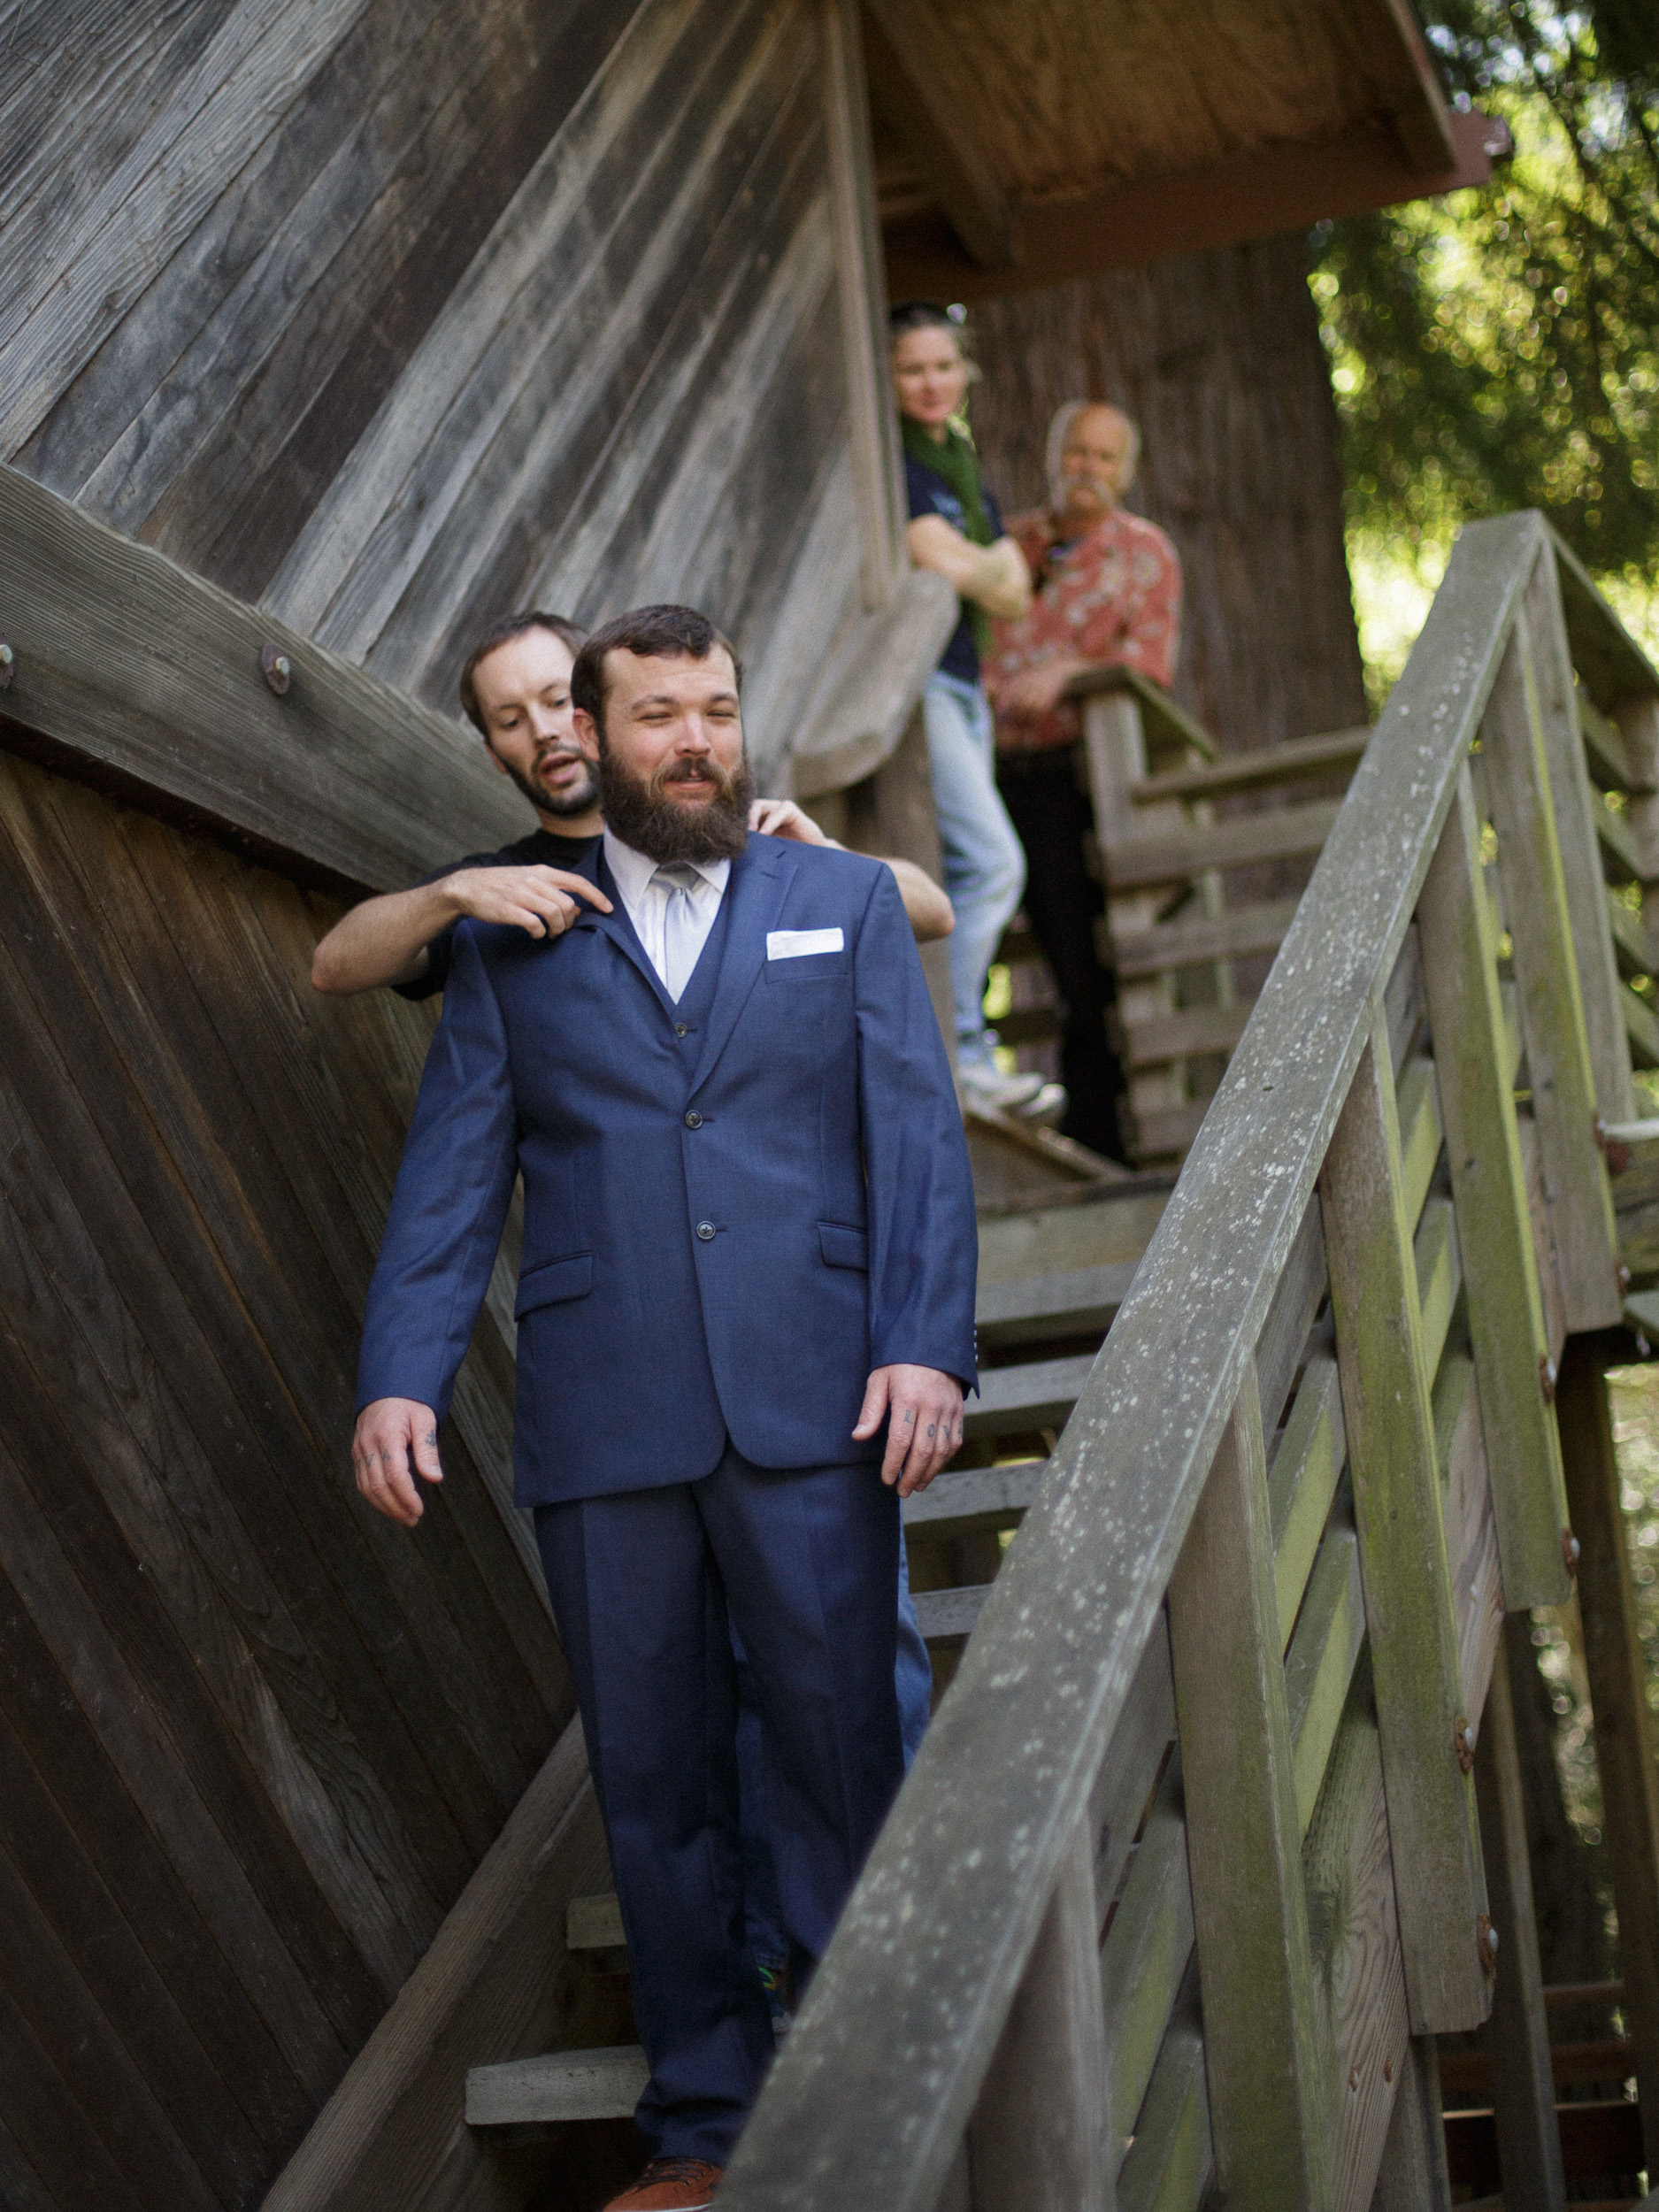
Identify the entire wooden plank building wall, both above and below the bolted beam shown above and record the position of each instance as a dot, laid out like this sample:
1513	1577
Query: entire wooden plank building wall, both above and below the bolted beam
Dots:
388	315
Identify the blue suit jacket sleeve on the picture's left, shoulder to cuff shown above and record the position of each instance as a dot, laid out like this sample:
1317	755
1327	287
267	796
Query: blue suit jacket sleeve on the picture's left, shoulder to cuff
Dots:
450	1204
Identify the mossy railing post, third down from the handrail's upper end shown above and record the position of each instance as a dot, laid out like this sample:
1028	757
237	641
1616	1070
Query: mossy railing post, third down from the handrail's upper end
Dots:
1417	1669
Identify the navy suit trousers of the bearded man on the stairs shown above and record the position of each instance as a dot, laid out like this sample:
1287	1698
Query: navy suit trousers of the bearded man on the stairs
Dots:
643	1583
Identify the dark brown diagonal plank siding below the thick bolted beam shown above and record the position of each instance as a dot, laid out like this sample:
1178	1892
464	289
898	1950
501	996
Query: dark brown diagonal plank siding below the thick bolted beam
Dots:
253	1742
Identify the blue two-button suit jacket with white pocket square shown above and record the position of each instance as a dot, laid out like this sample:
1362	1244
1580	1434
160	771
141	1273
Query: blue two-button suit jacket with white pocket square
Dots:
711	1253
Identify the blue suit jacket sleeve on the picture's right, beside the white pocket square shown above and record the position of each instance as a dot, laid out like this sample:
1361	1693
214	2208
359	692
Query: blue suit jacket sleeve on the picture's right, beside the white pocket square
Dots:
924	1242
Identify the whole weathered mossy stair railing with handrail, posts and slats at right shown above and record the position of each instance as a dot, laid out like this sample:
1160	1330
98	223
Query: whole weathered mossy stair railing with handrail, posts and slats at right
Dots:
1191	1855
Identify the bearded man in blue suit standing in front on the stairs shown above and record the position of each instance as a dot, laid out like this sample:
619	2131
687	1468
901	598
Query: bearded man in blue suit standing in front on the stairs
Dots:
747	1324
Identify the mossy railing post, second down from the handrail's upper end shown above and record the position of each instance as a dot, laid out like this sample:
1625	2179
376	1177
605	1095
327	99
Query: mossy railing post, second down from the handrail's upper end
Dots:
1494	1224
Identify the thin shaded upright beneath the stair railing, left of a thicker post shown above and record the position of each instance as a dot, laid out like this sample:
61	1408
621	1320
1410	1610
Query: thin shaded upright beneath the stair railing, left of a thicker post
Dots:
1519	2045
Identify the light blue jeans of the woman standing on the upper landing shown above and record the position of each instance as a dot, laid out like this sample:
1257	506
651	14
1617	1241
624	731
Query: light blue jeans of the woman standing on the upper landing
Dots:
985	868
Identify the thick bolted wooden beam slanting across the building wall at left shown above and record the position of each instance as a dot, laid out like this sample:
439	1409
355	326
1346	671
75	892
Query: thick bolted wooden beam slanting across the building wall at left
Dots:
136	676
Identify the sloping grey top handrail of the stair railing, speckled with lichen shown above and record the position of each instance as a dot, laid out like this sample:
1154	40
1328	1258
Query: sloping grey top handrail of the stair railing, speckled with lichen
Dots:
879	2078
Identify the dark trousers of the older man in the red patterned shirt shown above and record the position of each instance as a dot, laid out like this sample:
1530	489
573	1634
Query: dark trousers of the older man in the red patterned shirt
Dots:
1063	904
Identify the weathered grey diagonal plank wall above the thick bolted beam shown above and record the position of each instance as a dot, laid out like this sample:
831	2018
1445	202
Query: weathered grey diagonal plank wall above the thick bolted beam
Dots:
395	315
